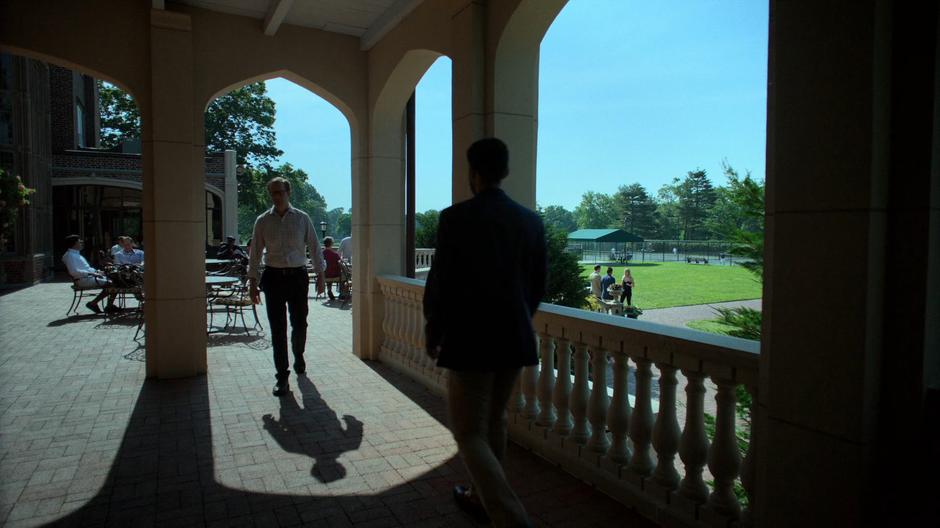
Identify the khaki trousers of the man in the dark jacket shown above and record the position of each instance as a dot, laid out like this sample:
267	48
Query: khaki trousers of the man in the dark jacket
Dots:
477	406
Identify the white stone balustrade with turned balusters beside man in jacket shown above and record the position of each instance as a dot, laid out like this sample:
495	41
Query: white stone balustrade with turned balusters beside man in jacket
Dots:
605	436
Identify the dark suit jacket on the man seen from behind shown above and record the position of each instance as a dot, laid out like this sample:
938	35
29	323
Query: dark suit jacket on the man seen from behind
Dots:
485	284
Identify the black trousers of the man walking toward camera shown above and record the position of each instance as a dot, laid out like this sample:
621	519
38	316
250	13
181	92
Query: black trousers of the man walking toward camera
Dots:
285	289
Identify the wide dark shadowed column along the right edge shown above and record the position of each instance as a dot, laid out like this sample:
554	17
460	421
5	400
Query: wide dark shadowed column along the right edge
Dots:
850	105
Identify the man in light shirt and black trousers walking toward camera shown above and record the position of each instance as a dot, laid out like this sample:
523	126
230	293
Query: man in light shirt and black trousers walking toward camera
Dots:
281	235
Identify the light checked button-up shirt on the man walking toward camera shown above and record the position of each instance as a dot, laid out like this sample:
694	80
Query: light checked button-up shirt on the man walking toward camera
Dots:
280	241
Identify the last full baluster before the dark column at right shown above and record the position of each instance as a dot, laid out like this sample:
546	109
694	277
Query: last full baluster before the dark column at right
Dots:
723	457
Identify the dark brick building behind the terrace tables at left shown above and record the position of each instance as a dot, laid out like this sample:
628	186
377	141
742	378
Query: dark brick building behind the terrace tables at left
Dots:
50	137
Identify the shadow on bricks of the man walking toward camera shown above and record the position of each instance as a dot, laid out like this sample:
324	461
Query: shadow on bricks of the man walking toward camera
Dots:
314	431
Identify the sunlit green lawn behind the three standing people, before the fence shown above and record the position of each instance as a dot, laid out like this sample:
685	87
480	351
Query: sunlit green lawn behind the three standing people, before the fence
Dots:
667	284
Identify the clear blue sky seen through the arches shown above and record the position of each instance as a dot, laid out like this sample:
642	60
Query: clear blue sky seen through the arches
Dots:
630	91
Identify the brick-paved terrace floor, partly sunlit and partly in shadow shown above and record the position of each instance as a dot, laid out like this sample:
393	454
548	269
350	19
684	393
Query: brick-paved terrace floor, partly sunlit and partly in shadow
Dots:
86	440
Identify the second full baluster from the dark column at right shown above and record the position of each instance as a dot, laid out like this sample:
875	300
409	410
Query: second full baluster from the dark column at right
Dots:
693	445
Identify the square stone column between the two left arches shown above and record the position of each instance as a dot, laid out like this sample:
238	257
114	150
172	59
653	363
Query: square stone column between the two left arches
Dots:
174	209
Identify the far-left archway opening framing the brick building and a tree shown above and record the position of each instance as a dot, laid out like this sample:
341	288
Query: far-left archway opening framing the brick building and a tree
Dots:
56	133
